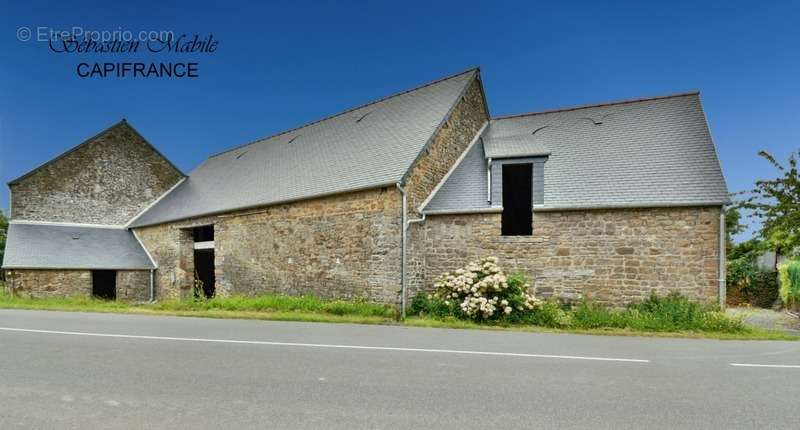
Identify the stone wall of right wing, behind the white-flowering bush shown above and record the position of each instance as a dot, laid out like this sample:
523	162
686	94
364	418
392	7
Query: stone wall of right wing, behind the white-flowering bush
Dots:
609	256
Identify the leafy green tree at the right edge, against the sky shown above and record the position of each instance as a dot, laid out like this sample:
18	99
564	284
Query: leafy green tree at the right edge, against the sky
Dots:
776	203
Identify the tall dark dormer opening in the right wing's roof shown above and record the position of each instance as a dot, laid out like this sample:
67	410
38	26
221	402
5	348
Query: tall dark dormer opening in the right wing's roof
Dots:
517	205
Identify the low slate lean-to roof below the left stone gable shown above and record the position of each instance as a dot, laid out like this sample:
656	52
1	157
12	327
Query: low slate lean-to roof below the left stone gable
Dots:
47	246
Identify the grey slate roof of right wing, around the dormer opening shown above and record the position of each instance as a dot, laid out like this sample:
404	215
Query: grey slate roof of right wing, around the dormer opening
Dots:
640	153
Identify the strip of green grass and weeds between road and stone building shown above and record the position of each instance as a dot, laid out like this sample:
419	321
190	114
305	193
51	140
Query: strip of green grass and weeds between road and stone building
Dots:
674	318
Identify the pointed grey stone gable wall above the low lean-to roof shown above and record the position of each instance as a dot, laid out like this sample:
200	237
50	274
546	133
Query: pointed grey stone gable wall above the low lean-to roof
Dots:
107	180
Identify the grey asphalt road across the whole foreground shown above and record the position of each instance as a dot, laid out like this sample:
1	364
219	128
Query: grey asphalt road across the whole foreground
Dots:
79	370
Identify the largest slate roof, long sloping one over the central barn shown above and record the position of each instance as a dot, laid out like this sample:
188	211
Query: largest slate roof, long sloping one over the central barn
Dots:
369	146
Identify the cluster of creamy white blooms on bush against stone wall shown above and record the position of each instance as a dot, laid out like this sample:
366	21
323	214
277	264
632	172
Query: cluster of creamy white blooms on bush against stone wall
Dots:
481	290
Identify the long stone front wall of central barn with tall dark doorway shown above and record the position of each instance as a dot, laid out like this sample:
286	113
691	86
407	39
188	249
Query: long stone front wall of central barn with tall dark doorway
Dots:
343	246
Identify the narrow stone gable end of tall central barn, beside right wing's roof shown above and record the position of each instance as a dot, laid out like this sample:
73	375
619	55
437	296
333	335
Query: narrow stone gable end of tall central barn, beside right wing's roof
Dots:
462	127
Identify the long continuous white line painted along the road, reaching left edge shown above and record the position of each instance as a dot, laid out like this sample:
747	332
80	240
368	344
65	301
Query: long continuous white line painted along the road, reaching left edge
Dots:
322	345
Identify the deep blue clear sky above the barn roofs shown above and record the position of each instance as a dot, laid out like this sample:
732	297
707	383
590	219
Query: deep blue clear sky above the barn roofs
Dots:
280	65
